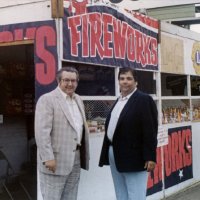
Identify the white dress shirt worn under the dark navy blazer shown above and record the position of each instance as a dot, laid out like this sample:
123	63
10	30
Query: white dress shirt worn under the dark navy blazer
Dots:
115	115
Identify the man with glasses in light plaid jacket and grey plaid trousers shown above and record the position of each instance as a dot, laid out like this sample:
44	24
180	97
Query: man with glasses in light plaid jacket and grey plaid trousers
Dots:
61	135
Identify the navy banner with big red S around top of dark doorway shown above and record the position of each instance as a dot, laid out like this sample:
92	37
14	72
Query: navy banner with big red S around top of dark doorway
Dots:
44	39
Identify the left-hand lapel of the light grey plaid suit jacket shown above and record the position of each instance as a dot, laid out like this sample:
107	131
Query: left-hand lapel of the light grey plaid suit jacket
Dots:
63	104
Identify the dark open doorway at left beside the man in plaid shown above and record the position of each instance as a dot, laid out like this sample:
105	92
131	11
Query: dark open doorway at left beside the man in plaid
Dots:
18	176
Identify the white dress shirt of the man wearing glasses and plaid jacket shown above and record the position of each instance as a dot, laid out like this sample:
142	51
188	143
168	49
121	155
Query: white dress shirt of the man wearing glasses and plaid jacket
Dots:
76	115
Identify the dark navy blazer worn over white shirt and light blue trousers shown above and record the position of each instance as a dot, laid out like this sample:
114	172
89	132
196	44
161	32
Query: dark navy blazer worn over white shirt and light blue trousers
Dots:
135	137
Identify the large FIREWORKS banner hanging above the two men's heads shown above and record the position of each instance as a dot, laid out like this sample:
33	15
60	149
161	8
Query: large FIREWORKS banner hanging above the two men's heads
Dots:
103	34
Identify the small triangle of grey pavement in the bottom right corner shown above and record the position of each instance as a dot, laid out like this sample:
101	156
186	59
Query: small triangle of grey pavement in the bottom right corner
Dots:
189	193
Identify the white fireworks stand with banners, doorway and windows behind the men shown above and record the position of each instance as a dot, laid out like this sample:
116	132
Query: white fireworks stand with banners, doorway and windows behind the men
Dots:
36	40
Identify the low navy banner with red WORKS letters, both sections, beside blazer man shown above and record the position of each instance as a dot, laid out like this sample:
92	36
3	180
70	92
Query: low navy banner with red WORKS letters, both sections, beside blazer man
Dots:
177	161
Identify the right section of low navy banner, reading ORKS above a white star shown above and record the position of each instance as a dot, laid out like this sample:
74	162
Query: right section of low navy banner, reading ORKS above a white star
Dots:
178	156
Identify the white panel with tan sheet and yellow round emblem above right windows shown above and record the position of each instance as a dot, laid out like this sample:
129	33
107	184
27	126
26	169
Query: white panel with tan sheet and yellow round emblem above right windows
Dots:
180	55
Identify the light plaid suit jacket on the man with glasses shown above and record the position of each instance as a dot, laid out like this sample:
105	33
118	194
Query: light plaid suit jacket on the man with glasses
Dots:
55	133
